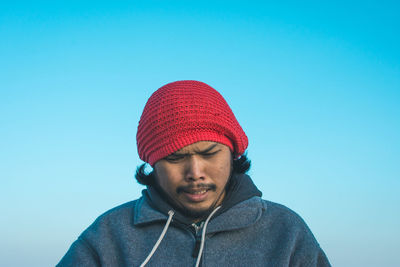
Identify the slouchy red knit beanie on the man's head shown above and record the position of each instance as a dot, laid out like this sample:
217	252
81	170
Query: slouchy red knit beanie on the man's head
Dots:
182	113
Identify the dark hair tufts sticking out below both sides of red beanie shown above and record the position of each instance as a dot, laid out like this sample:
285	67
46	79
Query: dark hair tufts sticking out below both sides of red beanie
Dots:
240	165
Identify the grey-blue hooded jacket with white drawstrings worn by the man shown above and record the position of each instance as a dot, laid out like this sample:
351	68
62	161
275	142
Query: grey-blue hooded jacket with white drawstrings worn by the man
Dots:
253	232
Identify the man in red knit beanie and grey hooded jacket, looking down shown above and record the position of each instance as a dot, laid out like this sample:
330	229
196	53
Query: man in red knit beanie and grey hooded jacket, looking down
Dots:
199	208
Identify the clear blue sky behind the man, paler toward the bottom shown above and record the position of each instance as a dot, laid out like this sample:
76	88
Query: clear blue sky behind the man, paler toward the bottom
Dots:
316	87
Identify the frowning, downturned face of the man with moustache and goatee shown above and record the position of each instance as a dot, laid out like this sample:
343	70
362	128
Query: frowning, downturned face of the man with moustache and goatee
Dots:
195	176
